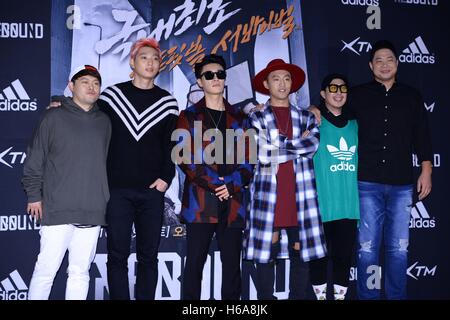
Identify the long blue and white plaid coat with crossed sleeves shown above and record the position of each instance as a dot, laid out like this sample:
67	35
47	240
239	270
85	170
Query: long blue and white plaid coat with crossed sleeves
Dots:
272	150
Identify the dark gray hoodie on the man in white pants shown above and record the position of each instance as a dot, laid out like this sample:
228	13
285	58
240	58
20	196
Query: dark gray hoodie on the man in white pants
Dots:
65	166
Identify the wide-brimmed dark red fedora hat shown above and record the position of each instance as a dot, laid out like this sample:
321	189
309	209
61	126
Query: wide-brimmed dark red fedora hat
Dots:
297	74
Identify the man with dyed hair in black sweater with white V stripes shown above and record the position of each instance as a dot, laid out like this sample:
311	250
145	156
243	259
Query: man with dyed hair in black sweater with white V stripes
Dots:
140	170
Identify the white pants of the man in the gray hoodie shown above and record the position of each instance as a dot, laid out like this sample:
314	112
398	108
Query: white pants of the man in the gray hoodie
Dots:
55	241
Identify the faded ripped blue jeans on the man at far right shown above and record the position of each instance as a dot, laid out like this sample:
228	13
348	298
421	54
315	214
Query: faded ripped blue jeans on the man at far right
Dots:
385	213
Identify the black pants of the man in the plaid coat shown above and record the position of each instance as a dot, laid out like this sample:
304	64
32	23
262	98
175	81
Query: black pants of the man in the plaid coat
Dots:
298	271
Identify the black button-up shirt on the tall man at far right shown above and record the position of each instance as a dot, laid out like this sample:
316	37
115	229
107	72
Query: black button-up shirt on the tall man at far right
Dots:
392	126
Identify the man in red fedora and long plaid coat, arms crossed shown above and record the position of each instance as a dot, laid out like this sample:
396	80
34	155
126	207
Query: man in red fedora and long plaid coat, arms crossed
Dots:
283	191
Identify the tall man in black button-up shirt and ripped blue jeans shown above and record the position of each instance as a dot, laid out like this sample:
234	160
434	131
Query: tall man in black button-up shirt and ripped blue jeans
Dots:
392	125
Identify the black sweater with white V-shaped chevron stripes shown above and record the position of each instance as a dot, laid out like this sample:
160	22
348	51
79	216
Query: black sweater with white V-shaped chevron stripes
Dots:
142	124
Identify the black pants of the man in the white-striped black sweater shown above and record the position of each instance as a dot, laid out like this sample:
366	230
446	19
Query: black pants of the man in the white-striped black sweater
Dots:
144	208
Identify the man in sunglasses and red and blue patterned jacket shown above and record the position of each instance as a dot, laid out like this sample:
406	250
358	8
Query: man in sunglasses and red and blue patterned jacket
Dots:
214	197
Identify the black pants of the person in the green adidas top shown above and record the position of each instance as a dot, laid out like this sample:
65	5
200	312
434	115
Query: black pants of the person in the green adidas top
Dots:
340	236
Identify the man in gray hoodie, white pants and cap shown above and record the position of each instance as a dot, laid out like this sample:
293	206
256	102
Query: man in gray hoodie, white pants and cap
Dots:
66	184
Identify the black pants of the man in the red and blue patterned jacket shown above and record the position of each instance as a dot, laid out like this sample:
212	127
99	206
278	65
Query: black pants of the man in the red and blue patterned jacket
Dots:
198	240
